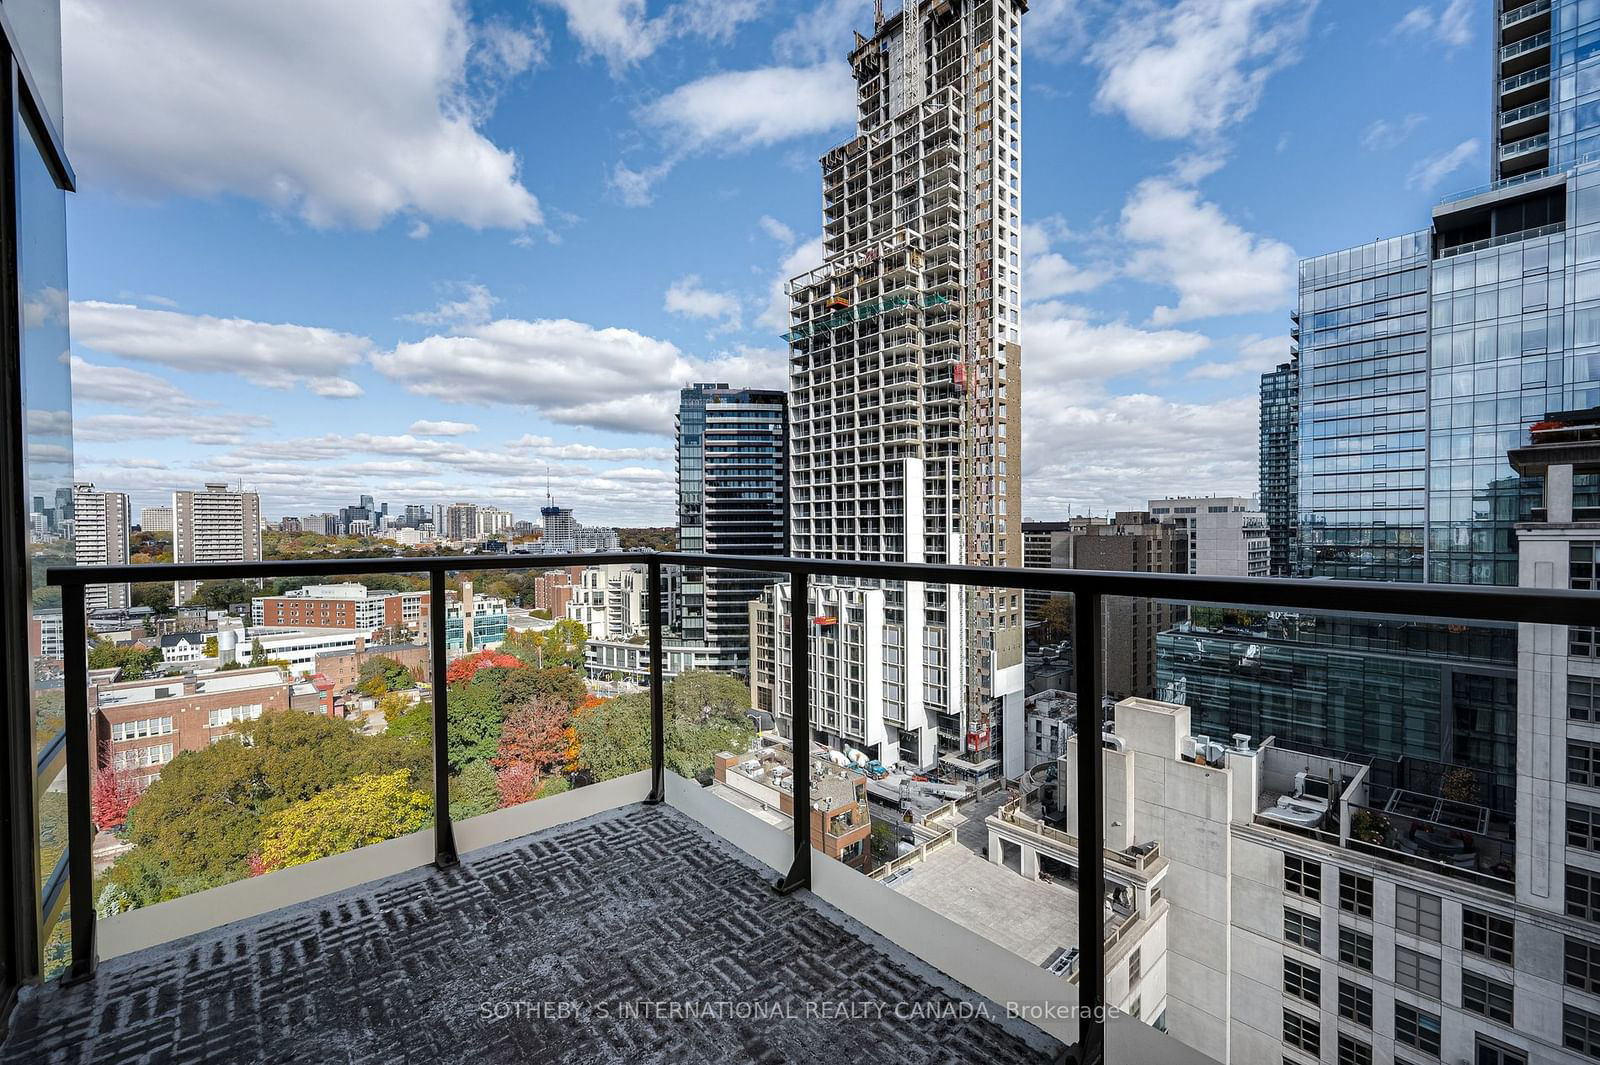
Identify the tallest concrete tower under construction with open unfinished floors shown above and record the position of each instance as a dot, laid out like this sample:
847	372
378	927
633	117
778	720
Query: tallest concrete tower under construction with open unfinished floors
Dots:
905	401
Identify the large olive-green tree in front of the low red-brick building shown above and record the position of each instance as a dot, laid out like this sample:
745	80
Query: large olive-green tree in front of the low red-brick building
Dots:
199	823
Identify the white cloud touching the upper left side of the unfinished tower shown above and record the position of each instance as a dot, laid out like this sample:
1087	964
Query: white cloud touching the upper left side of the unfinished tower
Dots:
737	111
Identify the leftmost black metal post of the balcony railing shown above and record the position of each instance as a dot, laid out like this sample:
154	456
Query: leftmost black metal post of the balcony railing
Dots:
81	780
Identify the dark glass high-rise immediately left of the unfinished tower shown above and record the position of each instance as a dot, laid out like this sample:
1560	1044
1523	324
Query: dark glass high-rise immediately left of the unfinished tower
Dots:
734	489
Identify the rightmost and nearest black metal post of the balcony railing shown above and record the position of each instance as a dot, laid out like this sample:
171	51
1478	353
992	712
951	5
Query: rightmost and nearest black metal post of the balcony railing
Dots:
1092	828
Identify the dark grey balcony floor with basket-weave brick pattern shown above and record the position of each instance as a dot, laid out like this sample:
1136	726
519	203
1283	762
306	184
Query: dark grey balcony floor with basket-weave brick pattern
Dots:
562	930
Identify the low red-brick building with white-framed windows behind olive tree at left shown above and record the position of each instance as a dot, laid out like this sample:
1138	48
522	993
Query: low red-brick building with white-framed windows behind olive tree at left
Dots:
143	725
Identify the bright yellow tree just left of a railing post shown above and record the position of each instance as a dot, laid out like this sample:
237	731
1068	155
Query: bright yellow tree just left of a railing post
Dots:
367	810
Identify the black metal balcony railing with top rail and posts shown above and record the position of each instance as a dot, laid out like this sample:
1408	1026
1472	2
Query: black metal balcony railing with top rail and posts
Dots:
1089	589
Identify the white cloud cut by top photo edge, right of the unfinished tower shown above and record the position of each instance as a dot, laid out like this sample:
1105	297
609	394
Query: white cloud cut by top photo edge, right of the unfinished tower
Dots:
1194	68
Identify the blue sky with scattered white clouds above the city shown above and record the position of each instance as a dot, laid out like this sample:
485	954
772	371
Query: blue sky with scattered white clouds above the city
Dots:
434	250
